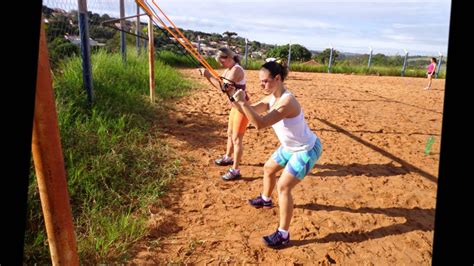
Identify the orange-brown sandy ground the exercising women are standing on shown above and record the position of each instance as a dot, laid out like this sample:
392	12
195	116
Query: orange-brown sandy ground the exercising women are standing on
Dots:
370	200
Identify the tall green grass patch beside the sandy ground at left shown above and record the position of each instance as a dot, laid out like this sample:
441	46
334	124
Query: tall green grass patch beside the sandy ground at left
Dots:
116	165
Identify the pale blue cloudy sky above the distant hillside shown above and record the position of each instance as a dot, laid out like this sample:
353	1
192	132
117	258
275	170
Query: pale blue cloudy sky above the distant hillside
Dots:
389	27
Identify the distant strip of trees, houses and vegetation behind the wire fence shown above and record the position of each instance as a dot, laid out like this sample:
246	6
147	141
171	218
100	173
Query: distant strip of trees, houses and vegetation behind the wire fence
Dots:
302	59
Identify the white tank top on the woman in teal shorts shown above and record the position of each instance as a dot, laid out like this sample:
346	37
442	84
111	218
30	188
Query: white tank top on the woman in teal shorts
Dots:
293	133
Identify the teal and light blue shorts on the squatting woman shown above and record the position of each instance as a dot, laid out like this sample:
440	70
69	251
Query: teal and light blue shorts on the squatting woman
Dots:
298	163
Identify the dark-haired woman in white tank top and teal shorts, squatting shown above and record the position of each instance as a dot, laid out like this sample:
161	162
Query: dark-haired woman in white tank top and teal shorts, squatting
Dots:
300	147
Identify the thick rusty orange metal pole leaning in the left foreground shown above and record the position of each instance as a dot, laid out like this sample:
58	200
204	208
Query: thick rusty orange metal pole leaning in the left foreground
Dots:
49	166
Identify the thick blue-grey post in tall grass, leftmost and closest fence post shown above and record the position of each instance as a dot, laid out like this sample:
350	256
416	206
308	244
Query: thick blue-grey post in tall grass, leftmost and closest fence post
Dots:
85	49
